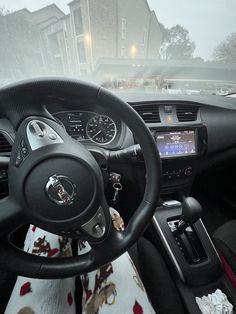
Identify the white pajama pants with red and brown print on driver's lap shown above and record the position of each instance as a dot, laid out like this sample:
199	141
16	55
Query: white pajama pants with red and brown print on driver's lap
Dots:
107	290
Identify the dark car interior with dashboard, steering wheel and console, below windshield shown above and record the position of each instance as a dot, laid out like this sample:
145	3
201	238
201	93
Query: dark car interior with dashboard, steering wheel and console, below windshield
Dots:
166	164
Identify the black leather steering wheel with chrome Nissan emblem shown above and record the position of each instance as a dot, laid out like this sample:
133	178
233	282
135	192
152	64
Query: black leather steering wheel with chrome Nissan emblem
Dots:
56	184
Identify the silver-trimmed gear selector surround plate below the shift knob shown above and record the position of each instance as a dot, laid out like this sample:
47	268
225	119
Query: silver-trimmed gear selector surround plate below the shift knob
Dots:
189	247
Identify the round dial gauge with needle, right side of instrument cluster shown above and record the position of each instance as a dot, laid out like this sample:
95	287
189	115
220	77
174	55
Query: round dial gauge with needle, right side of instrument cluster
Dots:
101	129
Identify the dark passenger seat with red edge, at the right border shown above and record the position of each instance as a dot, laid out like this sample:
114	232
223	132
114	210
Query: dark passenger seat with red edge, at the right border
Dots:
225	241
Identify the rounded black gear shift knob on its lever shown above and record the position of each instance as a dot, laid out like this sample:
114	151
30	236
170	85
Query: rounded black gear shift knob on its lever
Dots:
191	212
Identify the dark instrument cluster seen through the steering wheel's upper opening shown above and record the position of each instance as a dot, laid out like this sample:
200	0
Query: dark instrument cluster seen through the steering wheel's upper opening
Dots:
88	126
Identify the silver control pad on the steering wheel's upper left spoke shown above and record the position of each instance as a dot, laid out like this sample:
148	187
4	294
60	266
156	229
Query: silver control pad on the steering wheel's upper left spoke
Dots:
40	134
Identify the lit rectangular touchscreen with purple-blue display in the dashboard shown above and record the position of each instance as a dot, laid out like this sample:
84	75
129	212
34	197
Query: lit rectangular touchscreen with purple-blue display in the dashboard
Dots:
176	144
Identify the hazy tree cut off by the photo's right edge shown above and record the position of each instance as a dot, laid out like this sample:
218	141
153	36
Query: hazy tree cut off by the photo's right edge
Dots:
226	51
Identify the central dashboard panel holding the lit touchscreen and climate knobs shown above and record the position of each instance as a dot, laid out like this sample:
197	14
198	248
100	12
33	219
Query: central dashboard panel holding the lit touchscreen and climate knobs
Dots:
180	149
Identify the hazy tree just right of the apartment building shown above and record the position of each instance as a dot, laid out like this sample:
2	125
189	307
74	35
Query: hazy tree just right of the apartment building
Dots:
176	43
